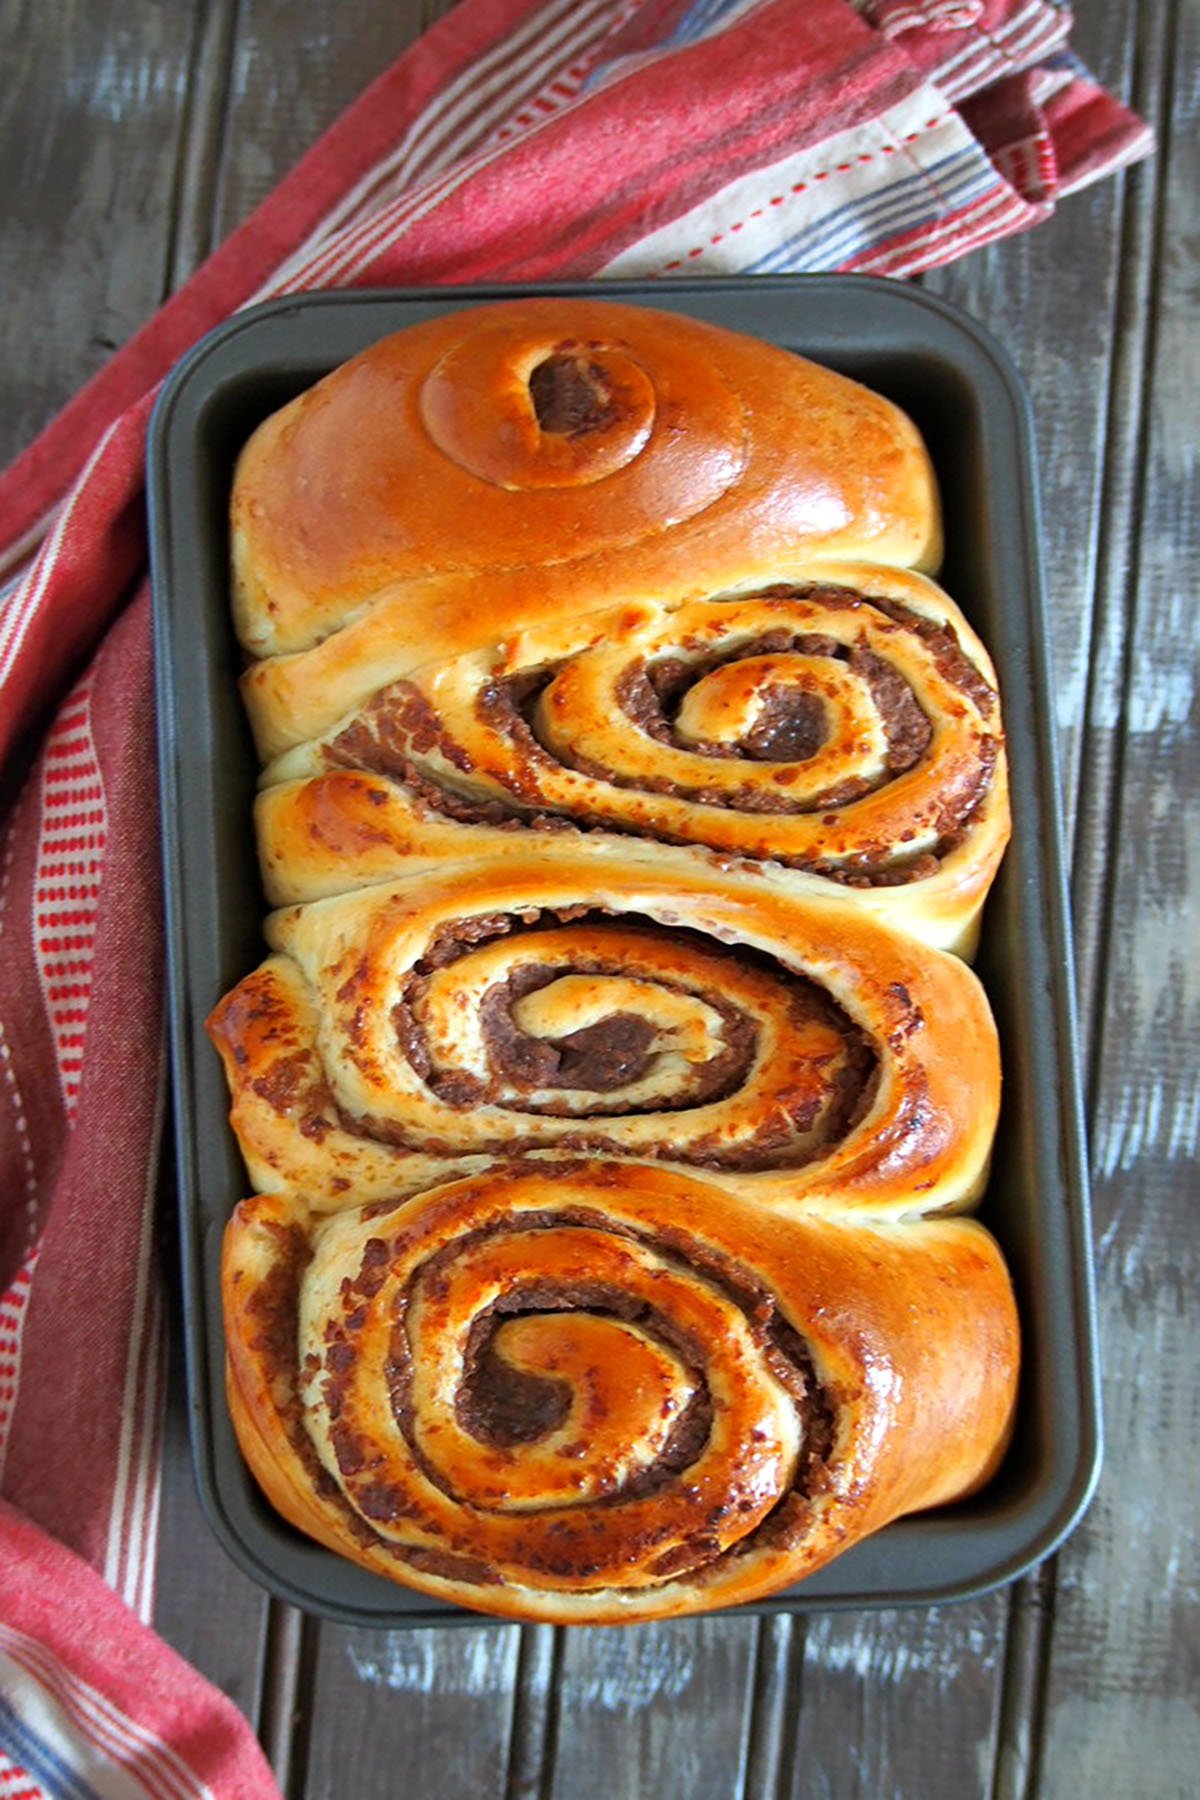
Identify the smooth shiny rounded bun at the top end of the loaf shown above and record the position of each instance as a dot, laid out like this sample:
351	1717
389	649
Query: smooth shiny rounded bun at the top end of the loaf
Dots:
539	456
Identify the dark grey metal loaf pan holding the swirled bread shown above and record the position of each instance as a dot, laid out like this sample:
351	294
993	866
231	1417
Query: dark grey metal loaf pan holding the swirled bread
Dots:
965	397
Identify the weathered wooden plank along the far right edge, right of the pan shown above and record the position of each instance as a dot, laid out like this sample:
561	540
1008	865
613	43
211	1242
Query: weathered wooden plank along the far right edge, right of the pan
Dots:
1122	1696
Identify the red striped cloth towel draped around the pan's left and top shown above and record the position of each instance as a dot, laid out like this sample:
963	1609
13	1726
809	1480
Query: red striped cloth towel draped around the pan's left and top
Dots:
733	136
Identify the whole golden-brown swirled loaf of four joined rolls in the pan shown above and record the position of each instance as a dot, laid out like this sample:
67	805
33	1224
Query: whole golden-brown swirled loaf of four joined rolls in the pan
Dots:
627	782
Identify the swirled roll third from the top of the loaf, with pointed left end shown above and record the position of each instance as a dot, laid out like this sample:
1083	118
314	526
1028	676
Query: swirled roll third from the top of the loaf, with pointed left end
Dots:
415	1029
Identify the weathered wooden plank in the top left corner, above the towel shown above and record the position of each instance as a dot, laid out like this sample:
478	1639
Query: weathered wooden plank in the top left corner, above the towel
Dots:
93	111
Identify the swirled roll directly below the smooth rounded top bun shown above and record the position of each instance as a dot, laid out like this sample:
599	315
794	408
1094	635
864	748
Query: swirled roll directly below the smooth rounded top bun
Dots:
845	724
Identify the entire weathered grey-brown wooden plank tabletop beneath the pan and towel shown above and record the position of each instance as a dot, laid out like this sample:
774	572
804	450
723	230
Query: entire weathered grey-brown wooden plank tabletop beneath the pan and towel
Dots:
141	136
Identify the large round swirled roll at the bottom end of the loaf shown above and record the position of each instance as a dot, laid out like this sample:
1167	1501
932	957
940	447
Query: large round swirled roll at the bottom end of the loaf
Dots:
706	1407
